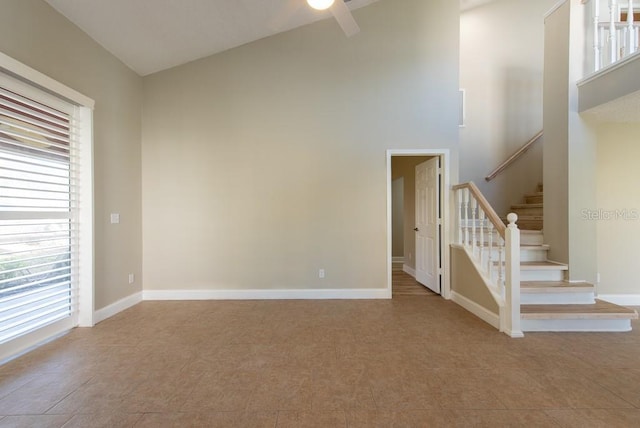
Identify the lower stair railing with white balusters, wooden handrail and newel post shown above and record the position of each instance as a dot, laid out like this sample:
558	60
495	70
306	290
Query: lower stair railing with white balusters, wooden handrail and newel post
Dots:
494	249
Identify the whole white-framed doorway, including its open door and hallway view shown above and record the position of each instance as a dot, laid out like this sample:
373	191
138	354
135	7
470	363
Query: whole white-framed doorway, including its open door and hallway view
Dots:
417	242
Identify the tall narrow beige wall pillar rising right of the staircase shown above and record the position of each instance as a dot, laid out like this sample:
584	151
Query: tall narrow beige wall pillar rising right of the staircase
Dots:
570	166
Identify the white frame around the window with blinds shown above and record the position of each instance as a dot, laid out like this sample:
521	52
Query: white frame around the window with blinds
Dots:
31	78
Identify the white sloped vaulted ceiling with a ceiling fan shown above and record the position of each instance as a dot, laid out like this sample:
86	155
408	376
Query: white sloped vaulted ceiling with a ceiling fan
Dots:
153	35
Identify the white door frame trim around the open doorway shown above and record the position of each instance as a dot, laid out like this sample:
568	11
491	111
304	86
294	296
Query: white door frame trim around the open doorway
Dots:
444	155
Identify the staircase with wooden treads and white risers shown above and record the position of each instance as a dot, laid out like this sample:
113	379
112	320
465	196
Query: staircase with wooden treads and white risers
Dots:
548	301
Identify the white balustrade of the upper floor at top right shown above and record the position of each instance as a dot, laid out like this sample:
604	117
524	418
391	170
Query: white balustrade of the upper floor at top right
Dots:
614	32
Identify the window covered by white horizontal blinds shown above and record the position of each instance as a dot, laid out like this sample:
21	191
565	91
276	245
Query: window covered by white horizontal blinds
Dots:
37	213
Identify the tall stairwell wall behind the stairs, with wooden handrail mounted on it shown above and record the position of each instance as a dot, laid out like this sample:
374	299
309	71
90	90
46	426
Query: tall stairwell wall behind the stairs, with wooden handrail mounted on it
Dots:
501	68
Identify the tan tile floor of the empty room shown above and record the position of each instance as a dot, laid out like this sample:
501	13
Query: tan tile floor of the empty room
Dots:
408	362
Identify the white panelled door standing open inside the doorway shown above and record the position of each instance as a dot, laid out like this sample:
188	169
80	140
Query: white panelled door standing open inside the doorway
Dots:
427	228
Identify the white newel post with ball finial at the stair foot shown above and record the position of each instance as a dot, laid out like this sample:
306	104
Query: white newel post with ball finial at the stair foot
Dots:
512	277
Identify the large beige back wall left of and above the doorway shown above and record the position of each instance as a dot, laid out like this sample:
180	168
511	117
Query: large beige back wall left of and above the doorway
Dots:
265	163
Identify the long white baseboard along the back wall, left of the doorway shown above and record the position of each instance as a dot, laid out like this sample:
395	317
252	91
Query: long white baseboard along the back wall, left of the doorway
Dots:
299	294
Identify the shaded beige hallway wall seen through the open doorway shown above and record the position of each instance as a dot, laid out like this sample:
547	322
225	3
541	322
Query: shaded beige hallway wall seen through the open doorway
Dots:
405	166
